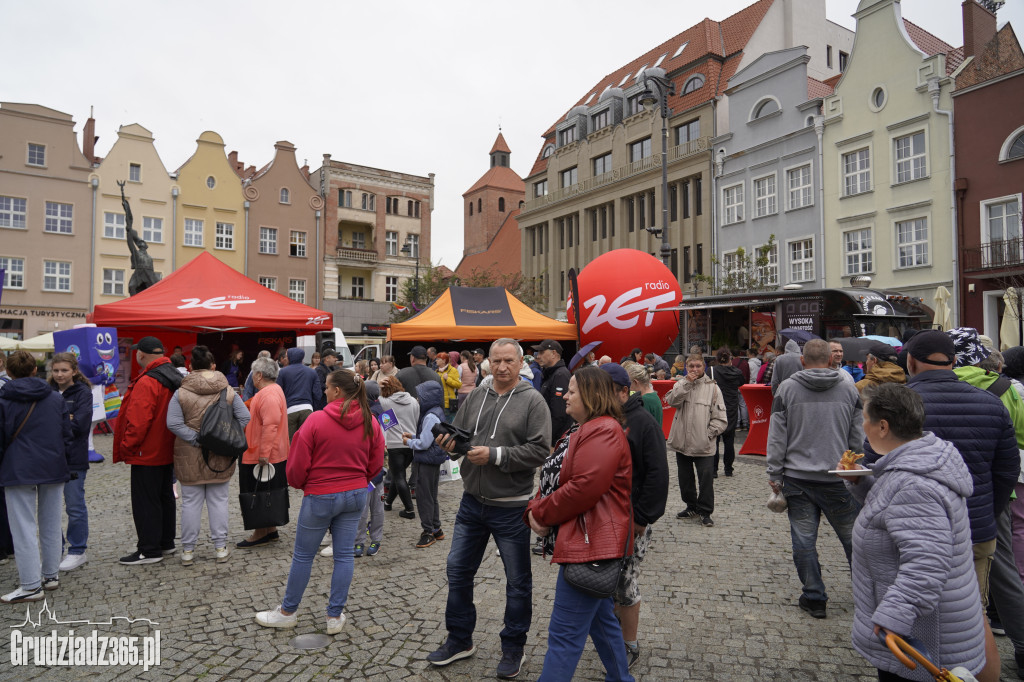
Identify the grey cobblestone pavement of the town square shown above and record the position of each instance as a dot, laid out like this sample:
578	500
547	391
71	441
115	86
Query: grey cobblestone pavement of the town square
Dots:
719	604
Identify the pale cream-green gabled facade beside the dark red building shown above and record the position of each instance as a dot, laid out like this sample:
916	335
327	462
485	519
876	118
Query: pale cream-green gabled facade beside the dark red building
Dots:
887	147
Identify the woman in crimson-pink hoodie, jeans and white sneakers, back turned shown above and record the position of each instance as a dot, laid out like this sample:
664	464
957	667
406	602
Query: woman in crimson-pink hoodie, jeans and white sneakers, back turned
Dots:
333	457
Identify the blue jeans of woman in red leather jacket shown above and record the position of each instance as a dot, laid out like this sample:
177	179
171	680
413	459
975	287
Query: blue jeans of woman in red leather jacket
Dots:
573	618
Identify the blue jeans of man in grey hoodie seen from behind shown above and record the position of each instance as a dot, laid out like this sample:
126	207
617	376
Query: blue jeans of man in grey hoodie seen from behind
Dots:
806	502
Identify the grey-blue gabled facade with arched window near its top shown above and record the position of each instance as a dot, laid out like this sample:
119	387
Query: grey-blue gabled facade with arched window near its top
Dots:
769	169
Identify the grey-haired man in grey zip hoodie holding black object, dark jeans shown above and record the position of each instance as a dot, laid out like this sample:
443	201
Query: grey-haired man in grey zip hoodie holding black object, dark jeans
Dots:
510	427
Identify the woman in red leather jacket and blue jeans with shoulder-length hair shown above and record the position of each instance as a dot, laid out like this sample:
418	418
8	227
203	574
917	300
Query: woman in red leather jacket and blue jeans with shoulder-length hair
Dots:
589	508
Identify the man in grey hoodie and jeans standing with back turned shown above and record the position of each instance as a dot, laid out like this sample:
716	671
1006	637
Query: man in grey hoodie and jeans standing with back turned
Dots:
815	418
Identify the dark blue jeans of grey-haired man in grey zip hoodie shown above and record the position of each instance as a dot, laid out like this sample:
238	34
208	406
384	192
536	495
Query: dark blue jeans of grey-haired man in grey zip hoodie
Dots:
475	524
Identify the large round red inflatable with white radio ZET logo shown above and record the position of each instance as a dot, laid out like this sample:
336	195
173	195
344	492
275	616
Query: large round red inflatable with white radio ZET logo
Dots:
617	293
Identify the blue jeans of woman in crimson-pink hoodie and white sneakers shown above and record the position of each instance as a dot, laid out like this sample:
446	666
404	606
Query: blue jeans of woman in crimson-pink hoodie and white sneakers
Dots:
339	513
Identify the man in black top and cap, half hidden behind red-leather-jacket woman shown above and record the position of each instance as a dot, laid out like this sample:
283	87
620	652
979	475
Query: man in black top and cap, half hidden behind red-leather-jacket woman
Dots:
650	494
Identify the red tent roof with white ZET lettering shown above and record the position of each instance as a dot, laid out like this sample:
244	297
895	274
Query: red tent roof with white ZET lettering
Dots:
207	295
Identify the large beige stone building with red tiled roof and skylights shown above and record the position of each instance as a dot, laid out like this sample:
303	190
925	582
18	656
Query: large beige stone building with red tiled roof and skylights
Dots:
598	184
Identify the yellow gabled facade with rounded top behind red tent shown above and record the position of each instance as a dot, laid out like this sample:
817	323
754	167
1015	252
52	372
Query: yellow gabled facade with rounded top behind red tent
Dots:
212	212
